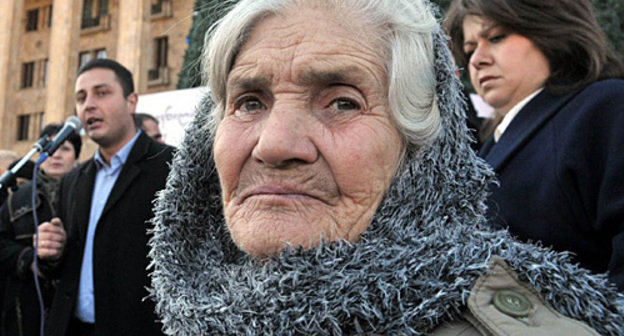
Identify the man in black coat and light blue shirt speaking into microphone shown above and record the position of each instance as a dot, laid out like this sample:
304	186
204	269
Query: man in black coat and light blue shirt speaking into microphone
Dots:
98	246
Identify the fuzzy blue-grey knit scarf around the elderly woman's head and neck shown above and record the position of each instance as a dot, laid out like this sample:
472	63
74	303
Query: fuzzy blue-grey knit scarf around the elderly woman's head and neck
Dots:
411	271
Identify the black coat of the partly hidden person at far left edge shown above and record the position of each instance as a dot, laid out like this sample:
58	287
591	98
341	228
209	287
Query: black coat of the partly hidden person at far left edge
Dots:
21	313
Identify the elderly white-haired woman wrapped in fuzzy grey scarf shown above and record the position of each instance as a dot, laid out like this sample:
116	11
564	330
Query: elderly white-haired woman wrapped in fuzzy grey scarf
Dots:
330	190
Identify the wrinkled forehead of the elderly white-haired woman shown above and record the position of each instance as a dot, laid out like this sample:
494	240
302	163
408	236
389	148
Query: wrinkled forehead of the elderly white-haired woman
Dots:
306	53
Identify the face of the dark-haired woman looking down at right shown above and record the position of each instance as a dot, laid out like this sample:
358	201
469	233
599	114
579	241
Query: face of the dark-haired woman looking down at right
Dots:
504	67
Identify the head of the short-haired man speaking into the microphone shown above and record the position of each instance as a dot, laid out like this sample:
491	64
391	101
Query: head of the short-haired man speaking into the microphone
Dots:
105	113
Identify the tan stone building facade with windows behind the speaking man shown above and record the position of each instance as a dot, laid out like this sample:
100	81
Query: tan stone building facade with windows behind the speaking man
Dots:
44	42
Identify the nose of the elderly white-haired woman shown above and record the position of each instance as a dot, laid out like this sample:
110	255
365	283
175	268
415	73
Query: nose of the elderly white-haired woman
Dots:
284	139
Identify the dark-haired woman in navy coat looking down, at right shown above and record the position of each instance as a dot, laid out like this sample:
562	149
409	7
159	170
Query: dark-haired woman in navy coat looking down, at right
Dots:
547	70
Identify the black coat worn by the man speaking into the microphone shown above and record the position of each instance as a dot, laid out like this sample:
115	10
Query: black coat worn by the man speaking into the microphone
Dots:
120	243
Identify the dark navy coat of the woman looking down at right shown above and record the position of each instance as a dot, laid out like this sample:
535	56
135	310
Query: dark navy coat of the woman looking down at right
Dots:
561	169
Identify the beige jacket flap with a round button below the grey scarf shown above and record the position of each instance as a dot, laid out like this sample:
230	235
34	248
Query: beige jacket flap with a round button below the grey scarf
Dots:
500	304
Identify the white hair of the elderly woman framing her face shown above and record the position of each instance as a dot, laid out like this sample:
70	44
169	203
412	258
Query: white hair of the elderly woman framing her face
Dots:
405	26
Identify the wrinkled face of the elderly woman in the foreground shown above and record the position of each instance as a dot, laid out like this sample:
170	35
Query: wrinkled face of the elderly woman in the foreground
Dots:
307	147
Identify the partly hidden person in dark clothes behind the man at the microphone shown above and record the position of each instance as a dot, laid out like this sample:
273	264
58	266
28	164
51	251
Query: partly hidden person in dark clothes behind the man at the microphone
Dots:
21	313
